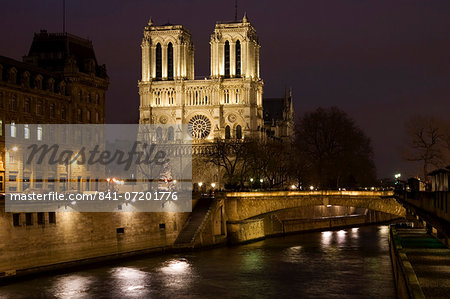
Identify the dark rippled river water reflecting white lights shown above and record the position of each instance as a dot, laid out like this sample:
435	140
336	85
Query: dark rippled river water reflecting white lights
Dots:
333	264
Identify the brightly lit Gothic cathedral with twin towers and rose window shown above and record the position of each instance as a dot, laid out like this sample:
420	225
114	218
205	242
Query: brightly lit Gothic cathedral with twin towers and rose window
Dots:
229	104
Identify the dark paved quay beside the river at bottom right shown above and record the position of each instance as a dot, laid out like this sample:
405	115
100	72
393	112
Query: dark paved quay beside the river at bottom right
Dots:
425	257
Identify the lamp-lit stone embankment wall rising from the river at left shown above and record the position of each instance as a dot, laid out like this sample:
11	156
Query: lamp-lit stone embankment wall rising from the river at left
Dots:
27	247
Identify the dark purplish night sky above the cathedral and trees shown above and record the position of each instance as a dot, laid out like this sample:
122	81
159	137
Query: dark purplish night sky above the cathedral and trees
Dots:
381	61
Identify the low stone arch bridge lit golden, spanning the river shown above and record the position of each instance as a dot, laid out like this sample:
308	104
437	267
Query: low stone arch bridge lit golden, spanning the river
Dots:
244	205
